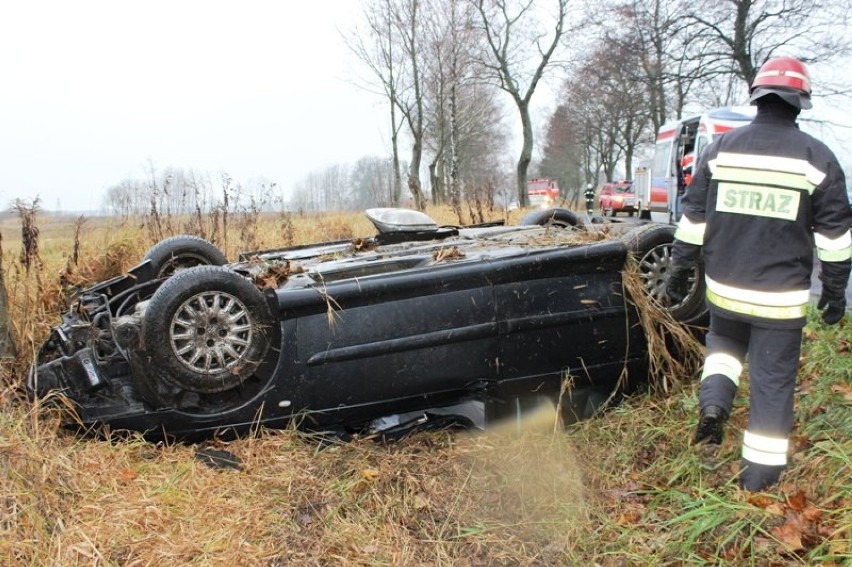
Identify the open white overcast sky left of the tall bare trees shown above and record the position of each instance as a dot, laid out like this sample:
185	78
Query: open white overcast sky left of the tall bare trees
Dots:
92	91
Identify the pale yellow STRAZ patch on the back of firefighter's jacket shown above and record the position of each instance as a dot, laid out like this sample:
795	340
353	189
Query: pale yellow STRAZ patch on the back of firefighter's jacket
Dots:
758	200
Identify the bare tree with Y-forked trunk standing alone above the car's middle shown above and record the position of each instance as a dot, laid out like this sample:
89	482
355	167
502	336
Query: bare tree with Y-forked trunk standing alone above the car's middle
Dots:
510	28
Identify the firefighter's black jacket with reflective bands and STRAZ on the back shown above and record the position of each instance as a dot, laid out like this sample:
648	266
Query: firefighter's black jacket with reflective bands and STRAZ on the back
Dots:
762	197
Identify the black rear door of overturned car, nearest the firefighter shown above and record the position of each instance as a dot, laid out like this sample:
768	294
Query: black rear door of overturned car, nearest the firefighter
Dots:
561	314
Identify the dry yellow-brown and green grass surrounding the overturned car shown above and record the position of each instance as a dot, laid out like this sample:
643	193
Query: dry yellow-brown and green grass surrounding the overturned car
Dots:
621	489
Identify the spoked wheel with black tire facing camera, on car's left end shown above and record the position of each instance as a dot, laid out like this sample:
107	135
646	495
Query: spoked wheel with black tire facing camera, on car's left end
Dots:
188	342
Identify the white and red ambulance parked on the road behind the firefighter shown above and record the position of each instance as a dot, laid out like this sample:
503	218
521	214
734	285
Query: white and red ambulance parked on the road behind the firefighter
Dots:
684	138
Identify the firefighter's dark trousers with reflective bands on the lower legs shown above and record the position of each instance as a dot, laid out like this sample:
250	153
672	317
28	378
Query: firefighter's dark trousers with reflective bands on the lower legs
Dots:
773	358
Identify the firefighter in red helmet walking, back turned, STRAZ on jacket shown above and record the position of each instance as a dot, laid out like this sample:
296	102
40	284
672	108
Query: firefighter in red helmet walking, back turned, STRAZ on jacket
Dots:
761	197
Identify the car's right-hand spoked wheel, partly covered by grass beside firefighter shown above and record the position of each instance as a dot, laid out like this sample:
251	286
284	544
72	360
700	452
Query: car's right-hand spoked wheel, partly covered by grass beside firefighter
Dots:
651	245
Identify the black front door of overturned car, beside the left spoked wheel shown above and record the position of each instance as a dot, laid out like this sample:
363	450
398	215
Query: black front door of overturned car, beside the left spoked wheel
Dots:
397	342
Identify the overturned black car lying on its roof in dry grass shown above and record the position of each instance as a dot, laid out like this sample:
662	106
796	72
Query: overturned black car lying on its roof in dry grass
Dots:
417	321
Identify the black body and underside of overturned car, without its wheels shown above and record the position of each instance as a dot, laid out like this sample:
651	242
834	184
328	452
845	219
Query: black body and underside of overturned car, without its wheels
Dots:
491	314
